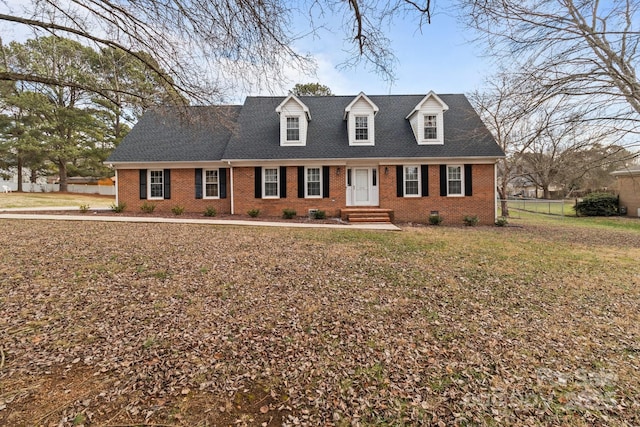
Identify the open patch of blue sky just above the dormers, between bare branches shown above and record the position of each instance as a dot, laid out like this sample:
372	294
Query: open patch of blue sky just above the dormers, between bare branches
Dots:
441	57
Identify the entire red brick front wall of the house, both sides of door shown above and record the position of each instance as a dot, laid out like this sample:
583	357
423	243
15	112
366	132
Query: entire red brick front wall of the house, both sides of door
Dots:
408	209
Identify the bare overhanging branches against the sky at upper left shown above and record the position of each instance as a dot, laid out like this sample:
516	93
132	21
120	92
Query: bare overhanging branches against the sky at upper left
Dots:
200	46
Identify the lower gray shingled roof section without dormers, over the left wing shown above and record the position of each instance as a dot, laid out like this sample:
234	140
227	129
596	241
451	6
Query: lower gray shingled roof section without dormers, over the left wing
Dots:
179	135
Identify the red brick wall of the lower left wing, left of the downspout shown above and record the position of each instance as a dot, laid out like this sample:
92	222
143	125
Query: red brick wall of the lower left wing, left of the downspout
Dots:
182	193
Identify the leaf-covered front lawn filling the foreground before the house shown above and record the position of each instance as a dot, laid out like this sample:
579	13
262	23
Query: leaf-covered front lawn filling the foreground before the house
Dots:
131	324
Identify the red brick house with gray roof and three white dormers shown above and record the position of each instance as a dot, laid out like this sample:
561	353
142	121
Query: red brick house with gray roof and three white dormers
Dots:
408	155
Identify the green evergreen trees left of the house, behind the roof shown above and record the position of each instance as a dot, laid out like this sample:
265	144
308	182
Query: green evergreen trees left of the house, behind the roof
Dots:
67	129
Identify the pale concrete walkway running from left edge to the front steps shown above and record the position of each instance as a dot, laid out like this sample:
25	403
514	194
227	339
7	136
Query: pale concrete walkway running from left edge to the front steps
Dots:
19	213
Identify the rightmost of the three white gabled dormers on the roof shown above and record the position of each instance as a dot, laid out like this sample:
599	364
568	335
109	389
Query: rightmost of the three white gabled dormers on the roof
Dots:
427	120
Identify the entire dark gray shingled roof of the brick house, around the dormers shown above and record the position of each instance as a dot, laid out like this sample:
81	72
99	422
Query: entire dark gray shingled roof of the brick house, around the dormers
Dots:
166	138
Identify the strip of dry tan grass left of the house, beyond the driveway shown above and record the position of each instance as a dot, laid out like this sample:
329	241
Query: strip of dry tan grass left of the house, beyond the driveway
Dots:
38	200
